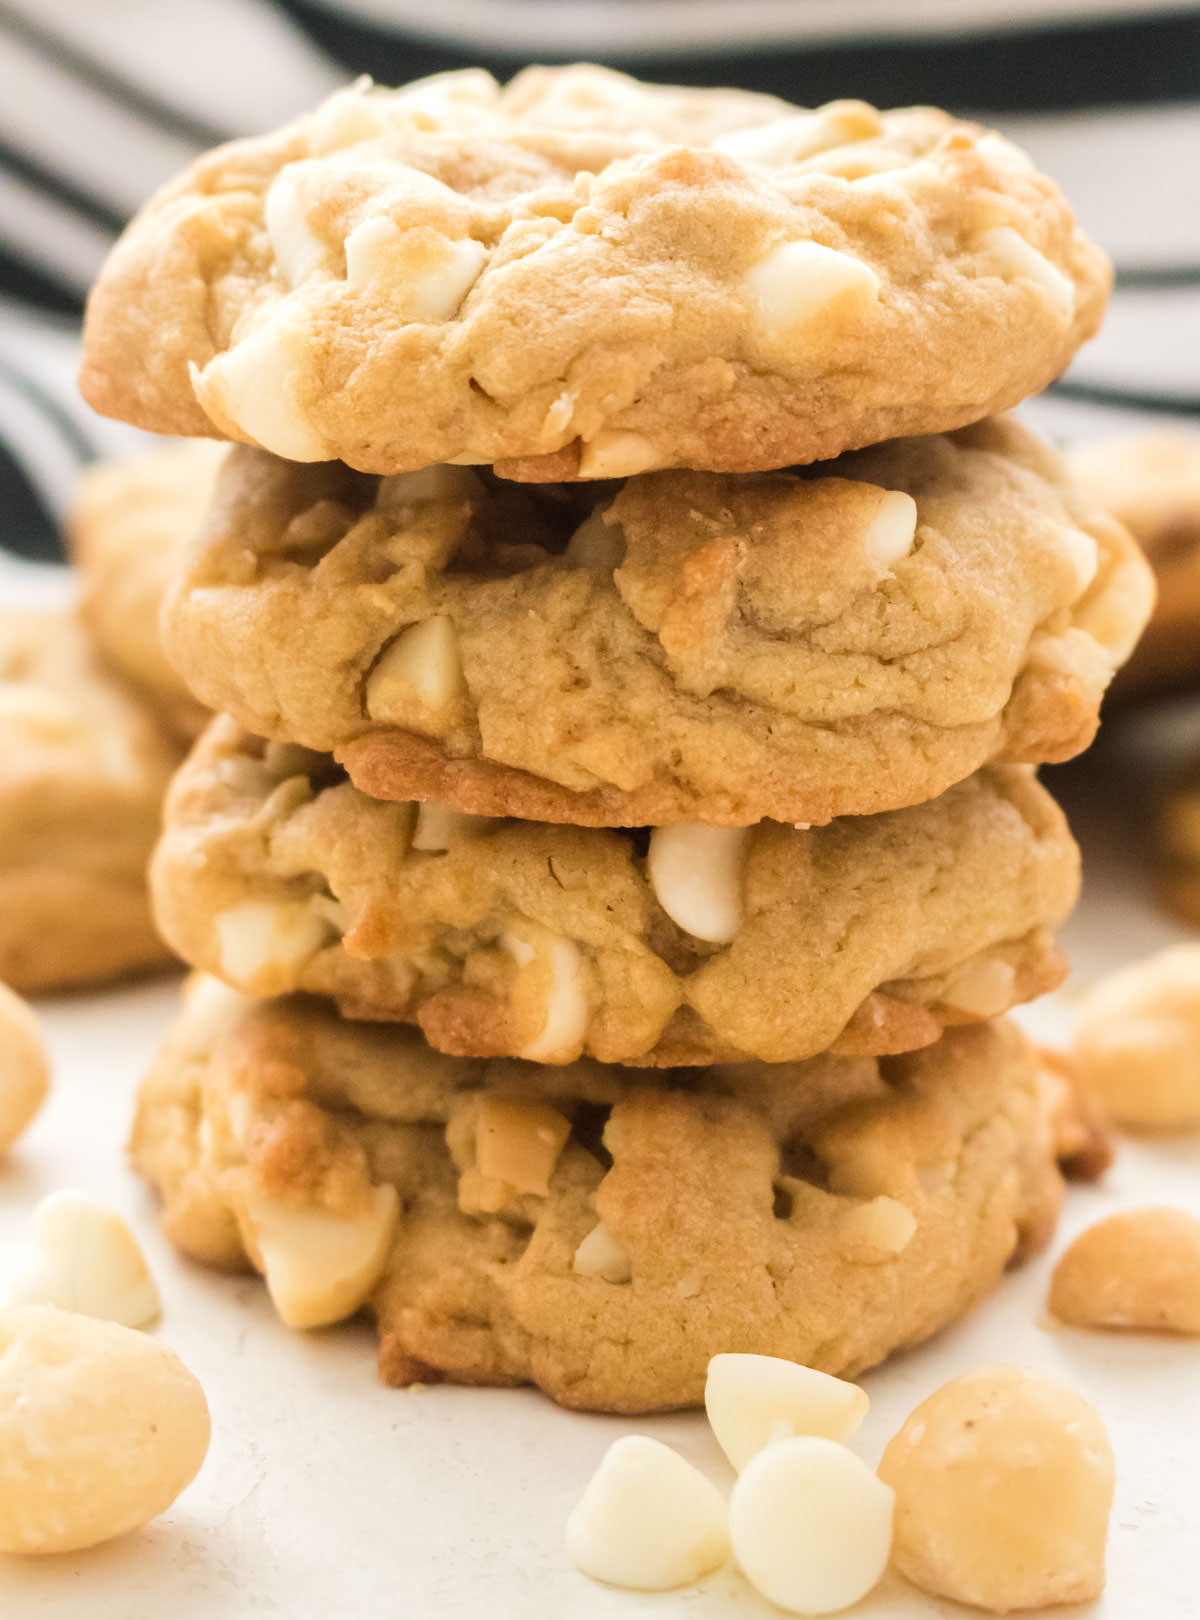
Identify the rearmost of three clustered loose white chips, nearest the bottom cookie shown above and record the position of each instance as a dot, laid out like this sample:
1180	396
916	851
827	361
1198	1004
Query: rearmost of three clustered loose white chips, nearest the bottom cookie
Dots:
759	1400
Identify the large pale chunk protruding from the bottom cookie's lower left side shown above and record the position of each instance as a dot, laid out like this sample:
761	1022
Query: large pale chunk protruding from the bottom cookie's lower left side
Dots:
320	1268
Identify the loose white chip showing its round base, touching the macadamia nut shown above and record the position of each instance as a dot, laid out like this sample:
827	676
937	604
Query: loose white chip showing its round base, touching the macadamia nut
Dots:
812	1527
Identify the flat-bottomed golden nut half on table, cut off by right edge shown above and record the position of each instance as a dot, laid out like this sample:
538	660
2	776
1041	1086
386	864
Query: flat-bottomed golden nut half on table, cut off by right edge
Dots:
1138	1269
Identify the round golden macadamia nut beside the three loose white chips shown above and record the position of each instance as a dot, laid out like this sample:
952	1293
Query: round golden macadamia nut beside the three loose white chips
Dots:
1003	1490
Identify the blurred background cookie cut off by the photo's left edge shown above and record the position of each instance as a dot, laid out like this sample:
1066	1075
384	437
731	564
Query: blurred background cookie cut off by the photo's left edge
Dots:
83	772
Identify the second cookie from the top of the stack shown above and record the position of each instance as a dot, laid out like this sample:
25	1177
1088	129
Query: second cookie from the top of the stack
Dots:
686	647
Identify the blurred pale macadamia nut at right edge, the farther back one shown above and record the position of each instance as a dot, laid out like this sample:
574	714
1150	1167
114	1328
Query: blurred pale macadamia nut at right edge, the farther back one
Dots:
1138	1041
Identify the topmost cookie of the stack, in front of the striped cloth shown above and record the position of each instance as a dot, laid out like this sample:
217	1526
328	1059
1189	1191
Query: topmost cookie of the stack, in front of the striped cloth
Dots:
581	276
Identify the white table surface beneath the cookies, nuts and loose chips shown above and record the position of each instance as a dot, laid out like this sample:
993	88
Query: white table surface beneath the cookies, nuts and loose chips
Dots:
326	1494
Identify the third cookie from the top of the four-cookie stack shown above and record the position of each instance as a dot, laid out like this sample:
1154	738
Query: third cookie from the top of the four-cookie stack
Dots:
676	945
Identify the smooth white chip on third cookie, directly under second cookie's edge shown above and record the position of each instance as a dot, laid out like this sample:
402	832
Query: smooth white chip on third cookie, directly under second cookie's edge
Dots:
697	877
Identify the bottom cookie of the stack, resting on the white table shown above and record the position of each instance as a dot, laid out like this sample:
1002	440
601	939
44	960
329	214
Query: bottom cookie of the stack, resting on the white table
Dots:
576	1229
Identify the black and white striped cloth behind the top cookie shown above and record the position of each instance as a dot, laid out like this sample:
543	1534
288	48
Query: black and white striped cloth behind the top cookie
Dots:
103	103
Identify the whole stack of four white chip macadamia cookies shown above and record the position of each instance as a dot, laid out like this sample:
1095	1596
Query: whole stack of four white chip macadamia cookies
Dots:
616	851
